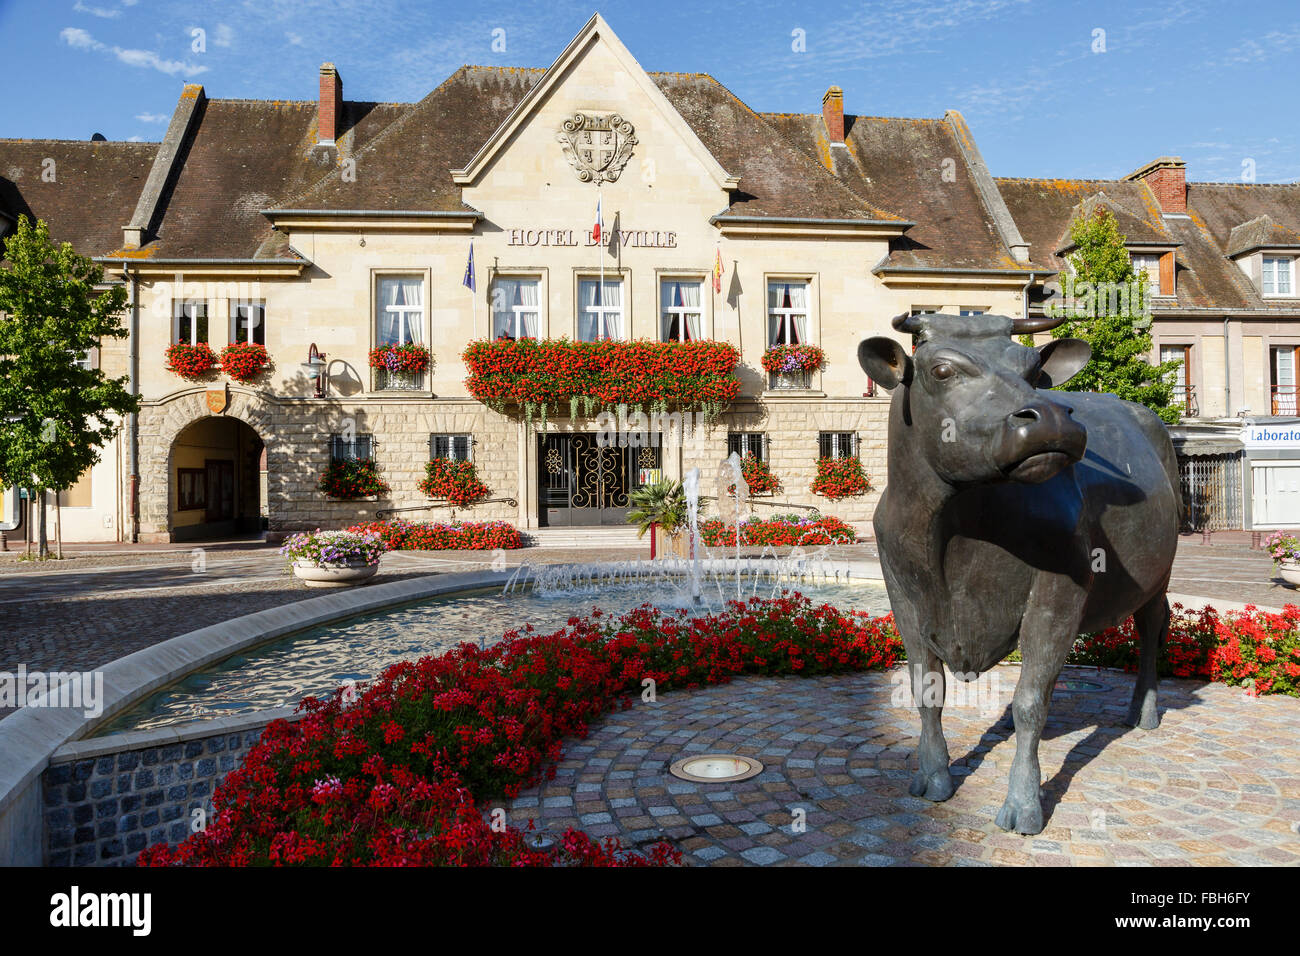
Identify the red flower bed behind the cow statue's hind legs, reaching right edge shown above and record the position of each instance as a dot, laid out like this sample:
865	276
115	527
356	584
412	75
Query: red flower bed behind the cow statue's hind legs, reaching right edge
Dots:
1251	648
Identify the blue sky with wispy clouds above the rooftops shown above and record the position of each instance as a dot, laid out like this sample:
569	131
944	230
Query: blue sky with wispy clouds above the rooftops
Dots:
1050	89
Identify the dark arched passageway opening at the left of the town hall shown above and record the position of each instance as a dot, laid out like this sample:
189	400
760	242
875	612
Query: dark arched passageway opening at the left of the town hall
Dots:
218	477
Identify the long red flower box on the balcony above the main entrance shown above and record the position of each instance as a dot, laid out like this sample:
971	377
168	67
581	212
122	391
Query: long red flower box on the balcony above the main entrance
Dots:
552	374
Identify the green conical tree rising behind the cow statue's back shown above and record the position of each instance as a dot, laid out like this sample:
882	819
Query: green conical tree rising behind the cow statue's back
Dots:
1107	305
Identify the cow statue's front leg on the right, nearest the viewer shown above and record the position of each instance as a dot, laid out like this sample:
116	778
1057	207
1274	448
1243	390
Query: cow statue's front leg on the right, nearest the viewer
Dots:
1047	638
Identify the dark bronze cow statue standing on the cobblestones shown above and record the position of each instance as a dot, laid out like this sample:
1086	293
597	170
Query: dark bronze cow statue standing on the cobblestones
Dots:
1016	517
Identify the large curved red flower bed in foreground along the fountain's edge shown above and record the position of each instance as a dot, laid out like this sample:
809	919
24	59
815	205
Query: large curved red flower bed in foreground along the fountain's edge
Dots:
393	778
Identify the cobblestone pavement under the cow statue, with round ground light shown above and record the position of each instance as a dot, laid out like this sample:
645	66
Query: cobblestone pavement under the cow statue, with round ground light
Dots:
1219	784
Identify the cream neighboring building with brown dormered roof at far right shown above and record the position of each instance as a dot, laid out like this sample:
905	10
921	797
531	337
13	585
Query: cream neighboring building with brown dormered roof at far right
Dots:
1221	261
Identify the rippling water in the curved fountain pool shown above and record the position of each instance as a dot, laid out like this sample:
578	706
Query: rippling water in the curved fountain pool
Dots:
318	661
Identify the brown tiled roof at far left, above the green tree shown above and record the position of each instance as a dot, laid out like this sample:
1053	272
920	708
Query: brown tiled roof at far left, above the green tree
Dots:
94	191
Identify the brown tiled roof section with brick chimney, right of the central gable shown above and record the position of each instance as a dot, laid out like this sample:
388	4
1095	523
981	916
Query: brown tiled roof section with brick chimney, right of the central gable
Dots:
954	227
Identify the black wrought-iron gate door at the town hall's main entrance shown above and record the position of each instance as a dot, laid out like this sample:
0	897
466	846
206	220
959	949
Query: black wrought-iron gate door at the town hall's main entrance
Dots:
584	485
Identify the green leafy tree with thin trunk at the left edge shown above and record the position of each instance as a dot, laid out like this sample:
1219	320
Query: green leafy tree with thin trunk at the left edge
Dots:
55	414
